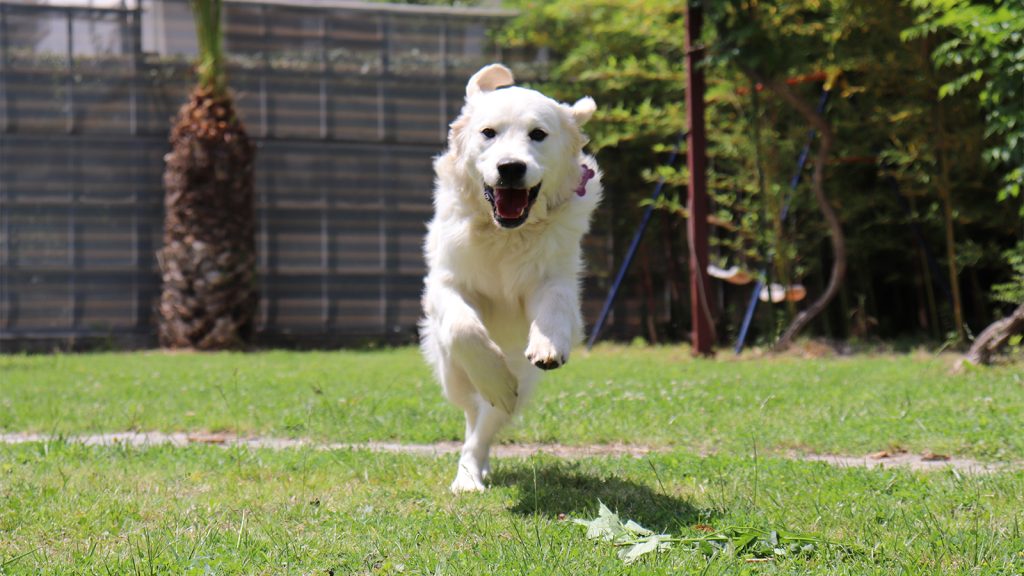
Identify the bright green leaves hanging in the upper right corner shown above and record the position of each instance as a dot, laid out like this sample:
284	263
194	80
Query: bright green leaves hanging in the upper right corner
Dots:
984	45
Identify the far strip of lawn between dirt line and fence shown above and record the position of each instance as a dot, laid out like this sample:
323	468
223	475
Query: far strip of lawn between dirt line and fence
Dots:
657	397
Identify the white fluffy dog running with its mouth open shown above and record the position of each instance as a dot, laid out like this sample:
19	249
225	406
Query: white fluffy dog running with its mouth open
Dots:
514	197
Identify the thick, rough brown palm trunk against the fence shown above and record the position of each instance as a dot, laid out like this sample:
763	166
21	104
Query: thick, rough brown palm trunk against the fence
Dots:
208	261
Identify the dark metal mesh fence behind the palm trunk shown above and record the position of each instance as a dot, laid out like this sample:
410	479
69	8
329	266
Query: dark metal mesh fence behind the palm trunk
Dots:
348	105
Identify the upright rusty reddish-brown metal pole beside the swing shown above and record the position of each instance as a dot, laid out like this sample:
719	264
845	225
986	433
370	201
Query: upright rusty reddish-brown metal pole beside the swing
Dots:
697	144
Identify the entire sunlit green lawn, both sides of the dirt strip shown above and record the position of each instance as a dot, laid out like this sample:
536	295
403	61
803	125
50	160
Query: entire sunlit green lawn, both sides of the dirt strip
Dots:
67	509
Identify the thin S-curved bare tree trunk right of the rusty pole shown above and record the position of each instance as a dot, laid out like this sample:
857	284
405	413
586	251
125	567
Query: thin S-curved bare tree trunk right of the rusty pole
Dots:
820	124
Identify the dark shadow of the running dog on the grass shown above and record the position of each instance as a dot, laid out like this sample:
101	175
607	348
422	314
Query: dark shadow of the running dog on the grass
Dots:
569	490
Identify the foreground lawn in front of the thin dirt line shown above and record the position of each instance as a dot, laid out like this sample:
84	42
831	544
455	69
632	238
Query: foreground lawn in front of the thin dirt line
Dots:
69	509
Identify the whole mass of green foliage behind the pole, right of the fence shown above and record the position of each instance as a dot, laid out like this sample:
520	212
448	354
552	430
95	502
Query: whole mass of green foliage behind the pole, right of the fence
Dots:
909	167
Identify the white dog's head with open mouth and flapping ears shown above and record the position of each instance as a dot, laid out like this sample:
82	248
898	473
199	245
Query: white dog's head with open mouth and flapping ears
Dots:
517	150
